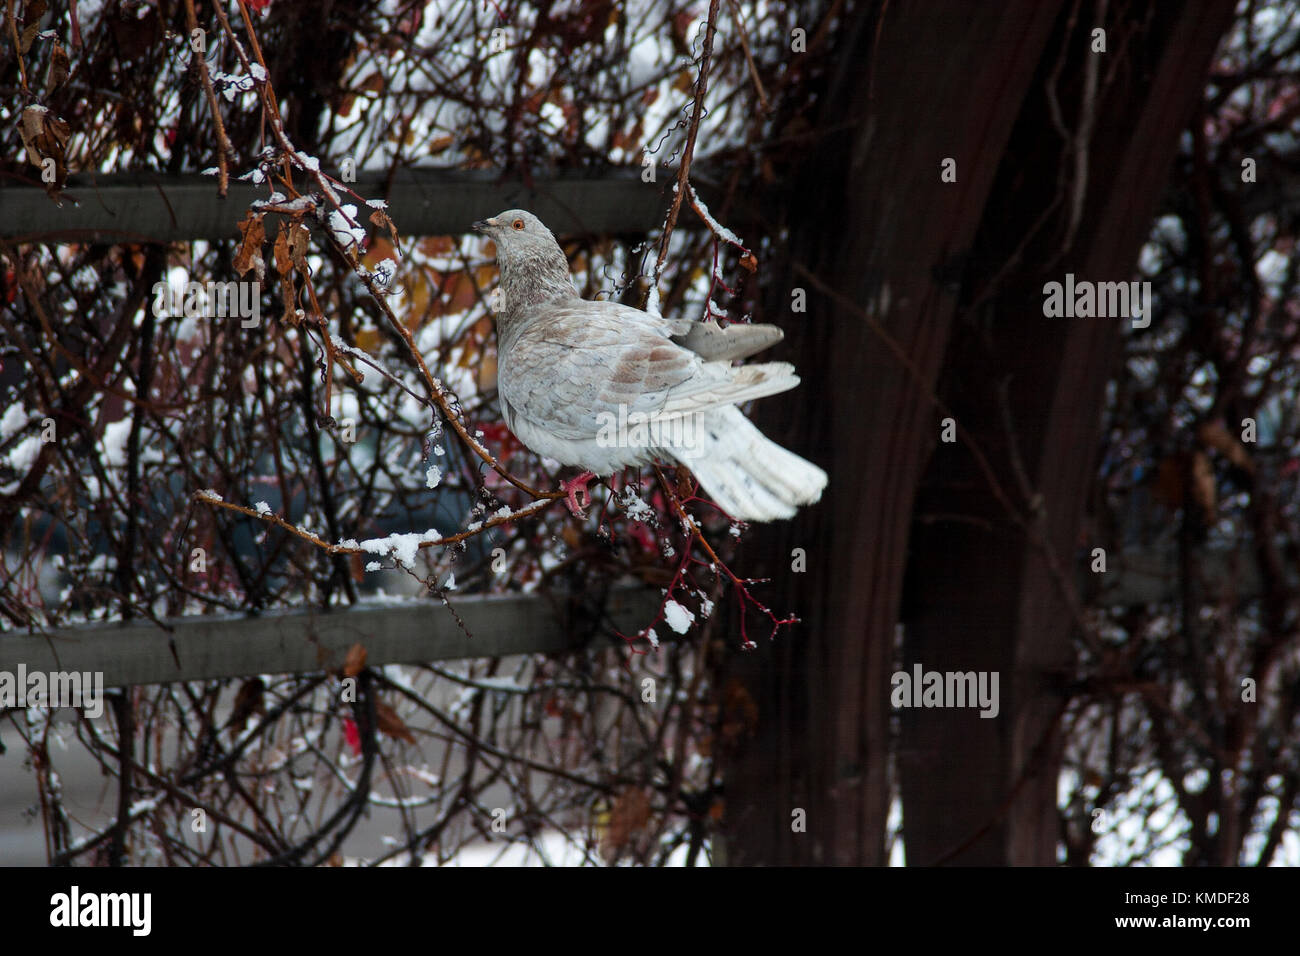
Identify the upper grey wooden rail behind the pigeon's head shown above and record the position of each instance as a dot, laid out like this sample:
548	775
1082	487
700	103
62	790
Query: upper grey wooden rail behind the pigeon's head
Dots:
146	207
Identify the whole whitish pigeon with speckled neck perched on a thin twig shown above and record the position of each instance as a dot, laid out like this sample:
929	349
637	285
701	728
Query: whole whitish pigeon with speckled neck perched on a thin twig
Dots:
604	387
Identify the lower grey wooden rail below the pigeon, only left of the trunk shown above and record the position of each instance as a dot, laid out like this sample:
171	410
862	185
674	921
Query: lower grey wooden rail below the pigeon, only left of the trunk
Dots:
296	642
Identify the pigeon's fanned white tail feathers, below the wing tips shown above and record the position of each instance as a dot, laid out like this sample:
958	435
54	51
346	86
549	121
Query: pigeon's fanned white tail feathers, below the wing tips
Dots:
747	474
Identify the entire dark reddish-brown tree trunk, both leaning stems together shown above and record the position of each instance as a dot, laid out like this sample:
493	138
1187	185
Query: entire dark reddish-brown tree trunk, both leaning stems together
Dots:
879	235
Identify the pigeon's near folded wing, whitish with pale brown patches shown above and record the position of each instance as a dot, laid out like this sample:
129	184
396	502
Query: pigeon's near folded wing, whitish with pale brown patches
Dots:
578	364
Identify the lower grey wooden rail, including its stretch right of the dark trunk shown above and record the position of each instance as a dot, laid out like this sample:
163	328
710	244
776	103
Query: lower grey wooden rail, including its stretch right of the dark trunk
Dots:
294	642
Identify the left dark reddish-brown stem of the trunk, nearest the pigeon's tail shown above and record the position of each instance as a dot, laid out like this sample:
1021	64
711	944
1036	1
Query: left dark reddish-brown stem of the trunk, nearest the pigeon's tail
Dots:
877	227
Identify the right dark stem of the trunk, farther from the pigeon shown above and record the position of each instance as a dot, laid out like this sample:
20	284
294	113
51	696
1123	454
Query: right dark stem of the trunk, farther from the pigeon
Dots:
982	595
